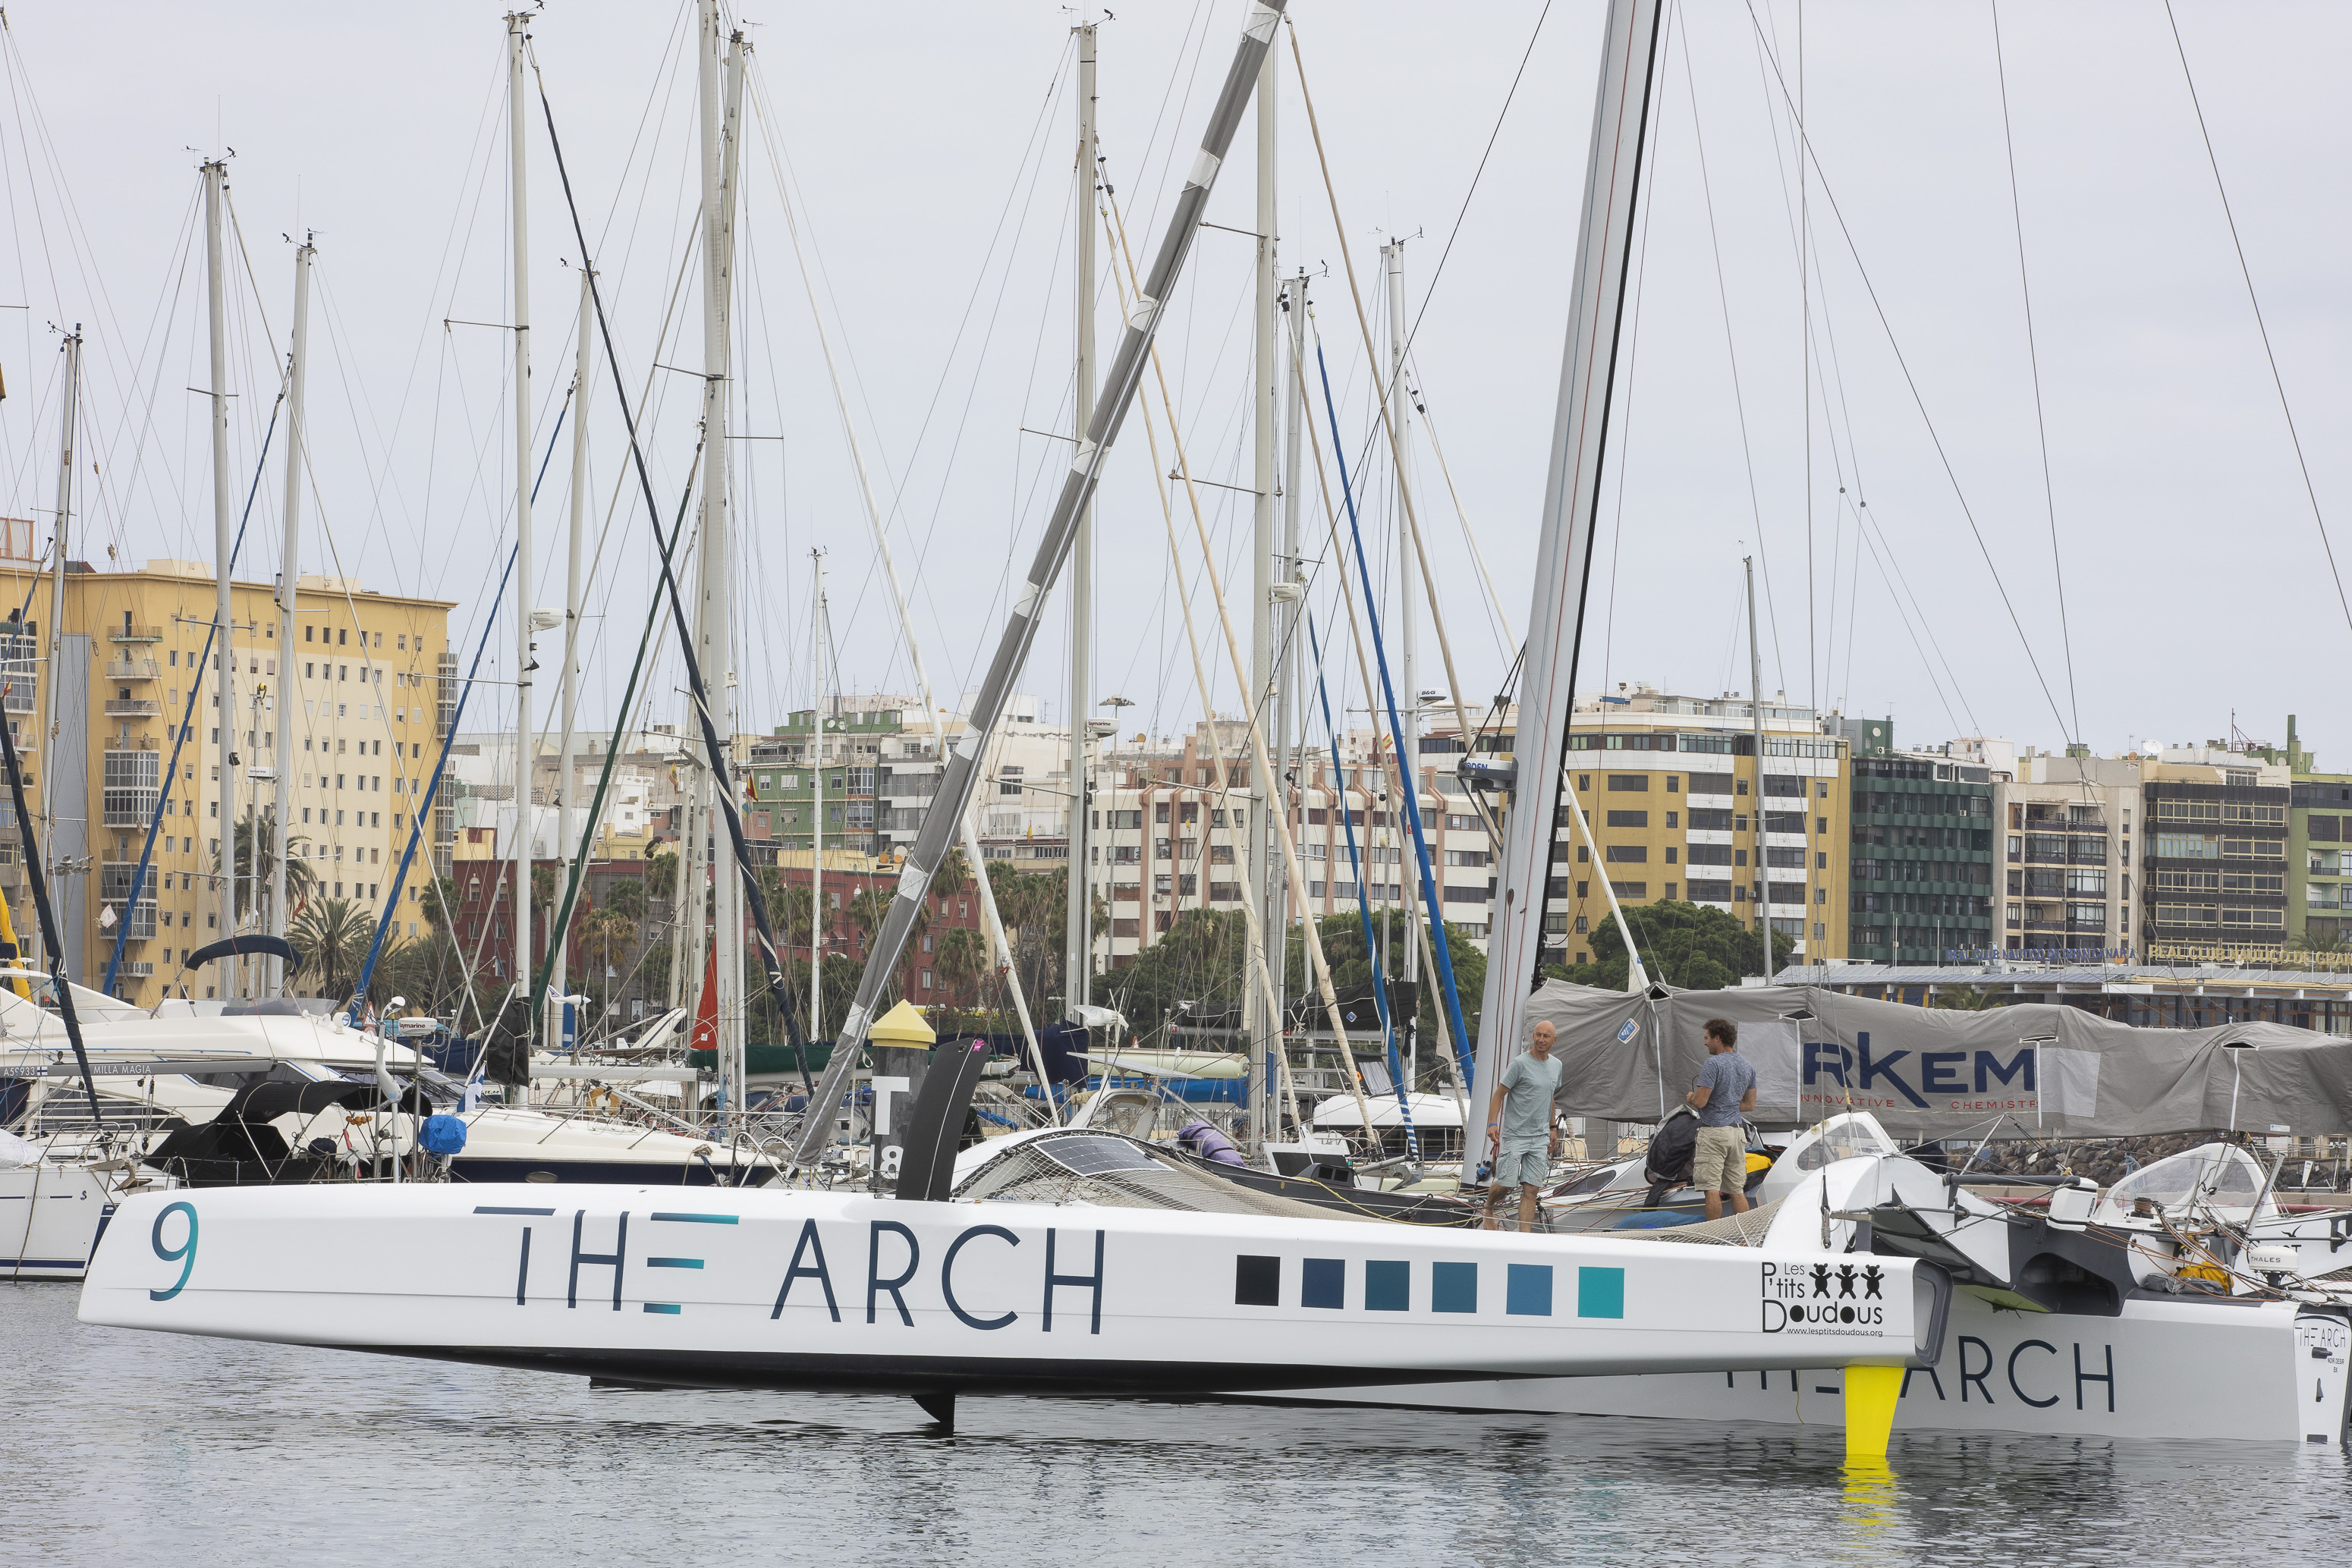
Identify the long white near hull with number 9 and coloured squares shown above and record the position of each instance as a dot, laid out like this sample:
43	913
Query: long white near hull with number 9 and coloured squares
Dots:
834	1292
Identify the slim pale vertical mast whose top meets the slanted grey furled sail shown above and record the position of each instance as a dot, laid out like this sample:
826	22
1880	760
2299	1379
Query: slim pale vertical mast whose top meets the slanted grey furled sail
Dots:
1267	770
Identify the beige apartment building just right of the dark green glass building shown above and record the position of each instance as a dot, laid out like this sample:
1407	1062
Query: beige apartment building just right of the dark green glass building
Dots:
2069	824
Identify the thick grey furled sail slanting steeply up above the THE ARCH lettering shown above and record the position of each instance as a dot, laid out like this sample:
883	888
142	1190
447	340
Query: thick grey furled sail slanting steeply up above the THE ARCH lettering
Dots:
1045	568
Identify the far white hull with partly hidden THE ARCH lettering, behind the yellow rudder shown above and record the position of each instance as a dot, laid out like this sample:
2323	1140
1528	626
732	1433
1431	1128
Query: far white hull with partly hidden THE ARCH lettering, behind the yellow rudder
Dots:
2165	1369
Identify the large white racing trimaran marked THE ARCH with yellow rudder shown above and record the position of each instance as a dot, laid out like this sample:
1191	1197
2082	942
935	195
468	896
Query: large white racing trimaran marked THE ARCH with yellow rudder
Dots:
1123	1287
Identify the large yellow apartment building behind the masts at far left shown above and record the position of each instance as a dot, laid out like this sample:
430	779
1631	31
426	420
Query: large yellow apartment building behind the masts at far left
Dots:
102	669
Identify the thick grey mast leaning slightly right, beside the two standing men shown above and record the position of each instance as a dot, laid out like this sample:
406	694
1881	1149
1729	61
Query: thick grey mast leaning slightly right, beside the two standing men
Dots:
1565	547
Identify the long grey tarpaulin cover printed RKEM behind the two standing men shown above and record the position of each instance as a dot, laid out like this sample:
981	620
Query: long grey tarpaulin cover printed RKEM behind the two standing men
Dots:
2024	1071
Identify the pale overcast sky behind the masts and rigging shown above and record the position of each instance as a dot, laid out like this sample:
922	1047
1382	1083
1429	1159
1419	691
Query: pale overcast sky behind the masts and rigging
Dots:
928	149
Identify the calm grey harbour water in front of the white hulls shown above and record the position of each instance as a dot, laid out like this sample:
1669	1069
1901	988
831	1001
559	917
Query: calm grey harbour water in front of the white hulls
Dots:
128	1447
